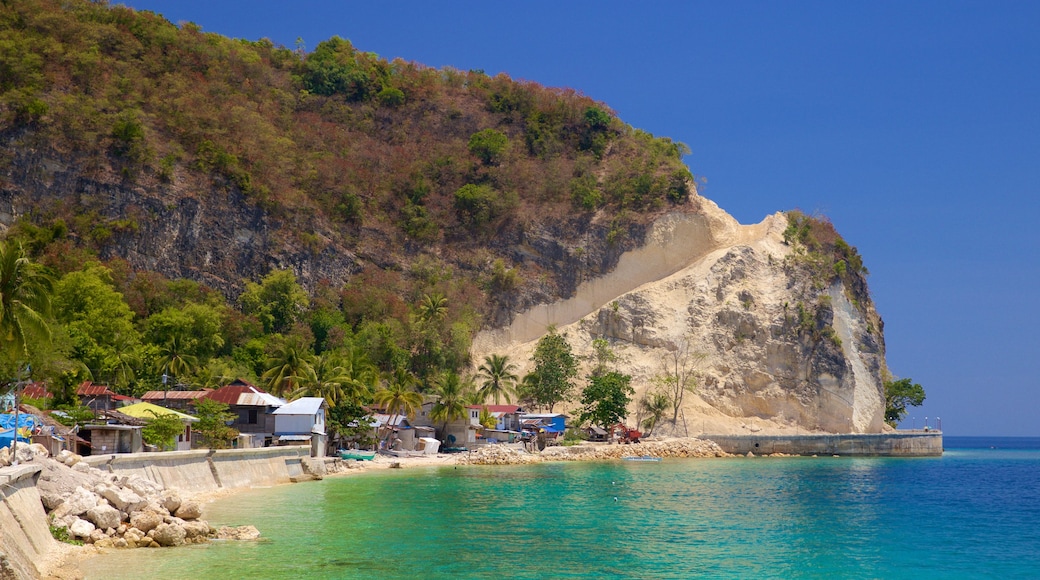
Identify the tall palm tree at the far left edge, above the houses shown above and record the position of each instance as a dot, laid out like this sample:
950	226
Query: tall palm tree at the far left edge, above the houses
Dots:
25	301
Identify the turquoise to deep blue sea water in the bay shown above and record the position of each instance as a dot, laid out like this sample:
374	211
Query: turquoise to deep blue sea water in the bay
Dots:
975	513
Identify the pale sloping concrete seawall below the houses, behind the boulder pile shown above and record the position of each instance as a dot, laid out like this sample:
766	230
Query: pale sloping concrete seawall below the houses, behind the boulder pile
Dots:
206	471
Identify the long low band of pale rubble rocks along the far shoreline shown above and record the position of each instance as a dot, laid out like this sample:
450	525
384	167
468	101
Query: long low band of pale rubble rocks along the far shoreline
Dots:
502	455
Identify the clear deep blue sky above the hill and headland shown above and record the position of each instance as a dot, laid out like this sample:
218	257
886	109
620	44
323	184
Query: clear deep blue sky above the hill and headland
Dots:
914	126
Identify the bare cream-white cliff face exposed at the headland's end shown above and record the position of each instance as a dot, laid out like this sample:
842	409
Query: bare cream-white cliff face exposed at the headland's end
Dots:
774	351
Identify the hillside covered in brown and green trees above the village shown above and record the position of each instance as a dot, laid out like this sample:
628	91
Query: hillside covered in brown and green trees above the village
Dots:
316	221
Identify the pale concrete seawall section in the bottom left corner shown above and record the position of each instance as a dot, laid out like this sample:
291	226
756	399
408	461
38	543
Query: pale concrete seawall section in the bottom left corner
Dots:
27	541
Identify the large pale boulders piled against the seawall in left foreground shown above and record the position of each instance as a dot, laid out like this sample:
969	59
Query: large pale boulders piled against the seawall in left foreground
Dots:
114	511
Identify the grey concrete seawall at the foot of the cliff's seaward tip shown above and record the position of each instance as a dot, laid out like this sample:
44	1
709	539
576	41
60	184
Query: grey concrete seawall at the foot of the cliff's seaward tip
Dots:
888	445
